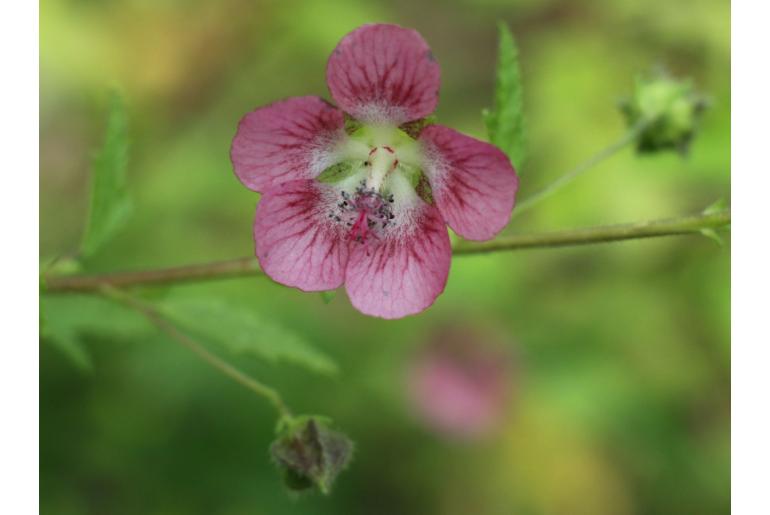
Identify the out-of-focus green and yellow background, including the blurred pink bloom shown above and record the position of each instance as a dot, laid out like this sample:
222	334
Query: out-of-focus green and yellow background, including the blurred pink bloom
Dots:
612	386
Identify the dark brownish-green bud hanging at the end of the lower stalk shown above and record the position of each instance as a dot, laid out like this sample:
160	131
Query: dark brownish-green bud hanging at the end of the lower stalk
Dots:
309	453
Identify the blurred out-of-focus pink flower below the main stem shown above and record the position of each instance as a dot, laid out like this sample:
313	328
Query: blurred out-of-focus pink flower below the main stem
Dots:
460	385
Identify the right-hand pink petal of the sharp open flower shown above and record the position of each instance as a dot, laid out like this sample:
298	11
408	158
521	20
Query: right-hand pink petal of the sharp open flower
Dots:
473	182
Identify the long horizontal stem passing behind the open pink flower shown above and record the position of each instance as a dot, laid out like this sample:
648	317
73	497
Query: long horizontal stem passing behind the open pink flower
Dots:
250	267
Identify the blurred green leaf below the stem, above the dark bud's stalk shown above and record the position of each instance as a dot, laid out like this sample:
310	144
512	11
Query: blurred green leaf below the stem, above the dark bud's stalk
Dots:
244	331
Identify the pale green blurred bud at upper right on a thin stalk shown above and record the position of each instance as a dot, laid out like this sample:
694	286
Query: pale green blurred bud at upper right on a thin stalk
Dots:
667	109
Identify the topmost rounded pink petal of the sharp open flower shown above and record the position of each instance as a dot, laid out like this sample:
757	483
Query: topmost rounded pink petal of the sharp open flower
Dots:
384	73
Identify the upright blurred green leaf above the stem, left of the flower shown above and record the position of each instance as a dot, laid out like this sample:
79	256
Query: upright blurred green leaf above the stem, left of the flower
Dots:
110	204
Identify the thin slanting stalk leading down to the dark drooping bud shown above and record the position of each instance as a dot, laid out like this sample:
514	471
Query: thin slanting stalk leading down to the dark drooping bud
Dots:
174	333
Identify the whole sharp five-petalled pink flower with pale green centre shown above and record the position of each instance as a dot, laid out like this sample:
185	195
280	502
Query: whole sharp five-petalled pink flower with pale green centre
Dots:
364	200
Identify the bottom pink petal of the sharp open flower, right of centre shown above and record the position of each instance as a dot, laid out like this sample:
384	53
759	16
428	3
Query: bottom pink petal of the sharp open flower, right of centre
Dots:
403	274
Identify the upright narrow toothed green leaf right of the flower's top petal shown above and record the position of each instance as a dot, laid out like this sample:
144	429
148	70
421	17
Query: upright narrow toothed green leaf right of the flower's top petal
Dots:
505	121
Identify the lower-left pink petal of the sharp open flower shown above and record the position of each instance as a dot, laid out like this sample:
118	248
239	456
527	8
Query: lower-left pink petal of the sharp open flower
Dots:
296	244
